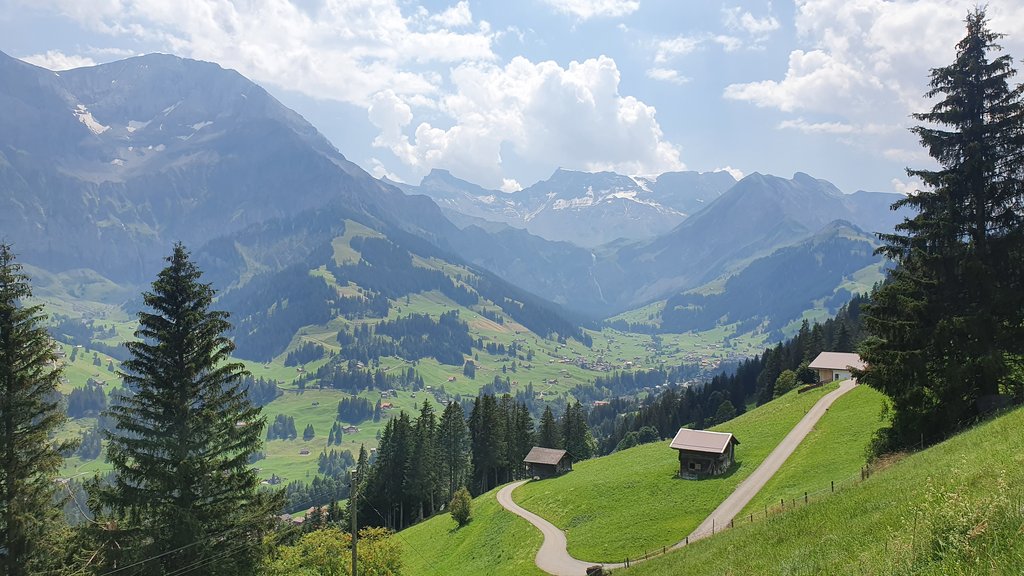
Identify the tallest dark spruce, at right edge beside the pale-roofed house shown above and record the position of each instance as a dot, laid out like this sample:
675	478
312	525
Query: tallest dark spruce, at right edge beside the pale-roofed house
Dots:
948	325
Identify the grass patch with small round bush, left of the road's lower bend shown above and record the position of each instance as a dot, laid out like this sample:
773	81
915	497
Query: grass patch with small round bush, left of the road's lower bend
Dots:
496	543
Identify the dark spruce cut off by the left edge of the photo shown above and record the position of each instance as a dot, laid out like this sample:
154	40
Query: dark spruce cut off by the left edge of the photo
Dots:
30	415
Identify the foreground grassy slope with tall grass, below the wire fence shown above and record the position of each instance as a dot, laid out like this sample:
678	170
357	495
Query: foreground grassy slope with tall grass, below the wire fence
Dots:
955	509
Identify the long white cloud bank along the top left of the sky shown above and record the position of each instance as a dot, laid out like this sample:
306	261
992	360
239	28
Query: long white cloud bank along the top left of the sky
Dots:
328	50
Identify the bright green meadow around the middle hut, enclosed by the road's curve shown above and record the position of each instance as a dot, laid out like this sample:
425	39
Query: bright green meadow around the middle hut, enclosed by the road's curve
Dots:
632	502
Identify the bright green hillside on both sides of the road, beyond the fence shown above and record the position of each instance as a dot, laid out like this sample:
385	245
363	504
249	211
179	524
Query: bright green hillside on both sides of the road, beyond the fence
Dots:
621	488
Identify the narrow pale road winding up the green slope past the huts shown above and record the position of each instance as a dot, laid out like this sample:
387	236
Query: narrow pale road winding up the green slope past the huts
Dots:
554	558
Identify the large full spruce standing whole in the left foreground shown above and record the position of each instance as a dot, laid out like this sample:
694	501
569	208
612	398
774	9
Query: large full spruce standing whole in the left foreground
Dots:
184	498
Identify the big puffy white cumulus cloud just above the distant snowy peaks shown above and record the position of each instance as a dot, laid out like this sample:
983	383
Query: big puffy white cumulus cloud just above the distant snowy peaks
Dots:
546	115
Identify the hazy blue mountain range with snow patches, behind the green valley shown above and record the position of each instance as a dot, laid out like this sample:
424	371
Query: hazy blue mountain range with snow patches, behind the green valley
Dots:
104	168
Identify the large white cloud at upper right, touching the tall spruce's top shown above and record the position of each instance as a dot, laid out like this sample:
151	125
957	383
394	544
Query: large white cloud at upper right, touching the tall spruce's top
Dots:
863	68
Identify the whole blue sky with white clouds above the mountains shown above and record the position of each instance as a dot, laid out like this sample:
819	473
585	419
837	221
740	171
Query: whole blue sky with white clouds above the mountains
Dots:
503	93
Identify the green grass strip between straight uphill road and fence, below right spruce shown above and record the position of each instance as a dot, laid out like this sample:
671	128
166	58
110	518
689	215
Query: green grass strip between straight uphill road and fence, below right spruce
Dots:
836	450
